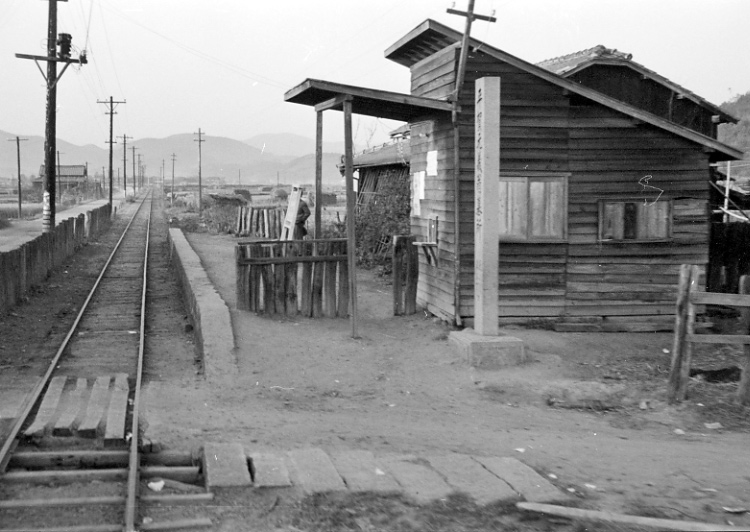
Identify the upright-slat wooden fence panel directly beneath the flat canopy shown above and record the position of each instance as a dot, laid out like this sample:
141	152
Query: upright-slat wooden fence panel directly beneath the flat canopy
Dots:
307	277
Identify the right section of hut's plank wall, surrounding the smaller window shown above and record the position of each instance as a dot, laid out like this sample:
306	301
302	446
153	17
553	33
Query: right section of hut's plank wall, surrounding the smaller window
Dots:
609	157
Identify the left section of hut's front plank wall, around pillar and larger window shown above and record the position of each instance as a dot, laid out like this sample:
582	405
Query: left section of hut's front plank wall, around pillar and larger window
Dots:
534	138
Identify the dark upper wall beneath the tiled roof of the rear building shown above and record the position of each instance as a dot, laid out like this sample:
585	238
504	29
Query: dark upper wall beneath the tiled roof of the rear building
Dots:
626	85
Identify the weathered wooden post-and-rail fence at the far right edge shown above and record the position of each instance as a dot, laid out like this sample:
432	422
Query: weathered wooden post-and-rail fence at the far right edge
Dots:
688	299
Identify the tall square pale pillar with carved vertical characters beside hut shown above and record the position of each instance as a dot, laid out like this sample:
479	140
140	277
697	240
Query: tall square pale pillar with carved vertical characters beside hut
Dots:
486	205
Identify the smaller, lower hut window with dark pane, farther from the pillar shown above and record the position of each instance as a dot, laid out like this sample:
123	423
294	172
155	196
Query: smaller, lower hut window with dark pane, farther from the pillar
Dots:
635	220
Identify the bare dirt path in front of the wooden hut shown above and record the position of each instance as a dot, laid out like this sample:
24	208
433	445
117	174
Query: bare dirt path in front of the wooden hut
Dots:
401	389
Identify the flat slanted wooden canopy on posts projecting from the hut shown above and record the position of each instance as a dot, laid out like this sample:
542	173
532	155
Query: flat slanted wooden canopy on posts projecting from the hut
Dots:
324	95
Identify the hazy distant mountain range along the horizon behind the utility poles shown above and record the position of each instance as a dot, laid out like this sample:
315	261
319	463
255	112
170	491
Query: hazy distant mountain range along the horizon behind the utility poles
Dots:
223	157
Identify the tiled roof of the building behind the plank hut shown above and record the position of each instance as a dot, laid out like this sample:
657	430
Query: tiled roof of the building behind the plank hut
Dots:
567	65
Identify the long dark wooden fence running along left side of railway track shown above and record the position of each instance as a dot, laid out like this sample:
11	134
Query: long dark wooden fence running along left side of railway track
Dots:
32	262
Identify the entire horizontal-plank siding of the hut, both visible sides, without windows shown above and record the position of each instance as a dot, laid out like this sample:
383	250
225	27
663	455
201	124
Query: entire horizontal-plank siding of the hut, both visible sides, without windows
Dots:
605	153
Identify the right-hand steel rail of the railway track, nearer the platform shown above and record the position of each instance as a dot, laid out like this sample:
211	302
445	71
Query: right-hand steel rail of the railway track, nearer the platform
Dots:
133	462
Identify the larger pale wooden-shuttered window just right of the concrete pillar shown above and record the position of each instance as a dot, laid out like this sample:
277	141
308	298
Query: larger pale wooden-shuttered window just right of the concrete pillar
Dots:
533	208
